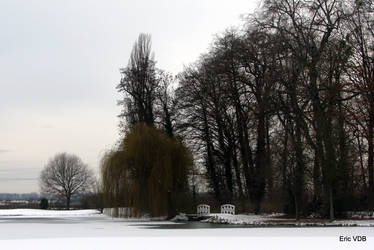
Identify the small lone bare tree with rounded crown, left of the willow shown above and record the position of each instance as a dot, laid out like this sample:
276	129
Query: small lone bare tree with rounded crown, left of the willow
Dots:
65	175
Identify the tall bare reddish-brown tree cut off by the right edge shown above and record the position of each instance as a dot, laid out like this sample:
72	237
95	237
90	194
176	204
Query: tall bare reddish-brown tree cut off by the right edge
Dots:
361	38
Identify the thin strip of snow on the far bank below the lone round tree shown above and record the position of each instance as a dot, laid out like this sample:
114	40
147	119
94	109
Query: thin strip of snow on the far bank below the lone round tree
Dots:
46	213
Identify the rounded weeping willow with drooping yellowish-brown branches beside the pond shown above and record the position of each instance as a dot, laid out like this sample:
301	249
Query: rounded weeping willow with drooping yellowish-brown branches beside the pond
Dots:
148	172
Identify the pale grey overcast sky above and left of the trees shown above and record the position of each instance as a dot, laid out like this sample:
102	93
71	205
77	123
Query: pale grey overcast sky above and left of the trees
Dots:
59	66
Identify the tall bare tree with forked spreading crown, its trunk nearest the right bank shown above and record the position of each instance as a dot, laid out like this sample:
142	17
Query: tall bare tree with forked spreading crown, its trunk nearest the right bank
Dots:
311	26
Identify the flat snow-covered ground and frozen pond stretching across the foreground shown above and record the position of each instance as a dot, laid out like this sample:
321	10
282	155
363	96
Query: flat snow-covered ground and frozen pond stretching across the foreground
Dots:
87	229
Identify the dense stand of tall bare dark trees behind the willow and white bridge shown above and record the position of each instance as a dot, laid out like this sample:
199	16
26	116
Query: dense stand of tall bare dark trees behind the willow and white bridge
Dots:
281	109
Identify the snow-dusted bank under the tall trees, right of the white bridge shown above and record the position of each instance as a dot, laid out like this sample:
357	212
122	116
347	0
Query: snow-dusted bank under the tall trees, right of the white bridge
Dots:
272	220
